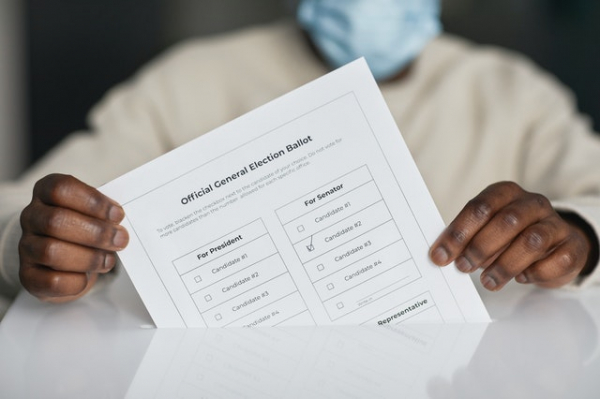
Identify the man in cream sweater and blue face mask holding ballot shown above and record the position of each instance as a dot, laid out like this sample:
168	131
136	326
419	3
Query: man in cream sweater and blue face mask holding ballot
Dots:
471	117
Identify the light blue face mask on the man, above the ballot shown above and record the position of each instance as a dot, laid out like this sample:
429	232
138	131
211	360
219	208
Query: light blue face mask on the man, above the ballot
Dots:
390	34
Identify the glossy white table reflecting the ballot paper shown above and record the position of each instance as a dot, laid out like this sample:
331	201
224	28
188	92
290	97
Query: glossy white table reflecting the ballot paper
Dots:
542	344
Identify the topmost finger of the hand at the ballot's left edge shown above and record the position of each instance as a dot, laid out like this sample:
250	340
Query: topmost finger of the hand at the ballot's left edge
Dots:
68	192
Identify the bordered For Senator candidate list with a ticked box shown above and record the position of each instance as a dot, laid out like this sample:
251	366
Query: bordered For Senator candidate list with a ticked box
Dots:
348	243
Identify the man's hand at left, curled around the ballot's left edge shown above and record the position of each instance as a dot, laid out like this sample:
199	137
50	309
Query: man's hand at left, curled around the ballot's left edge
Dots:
70	234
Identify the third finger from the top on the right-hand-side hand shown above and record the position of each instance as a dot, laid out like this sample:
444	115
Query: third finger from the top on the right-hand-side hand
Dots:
532	245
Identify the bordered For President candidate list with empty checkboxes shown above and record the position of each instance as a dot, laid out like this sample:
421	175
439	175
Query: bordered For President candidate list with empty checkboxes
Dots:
237	275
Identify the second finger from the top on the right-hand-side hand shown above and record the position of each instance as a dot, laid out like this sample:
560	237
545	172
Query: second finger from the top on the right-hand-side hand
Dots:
506	225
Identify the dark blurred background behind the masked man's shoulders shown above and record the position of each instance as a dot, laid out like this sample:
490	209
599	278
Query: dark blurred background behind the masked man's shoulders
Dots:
58	57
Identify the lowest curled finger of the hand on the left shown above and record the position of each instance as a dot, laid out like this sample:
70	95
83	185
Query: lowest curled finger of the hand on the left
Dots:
46	283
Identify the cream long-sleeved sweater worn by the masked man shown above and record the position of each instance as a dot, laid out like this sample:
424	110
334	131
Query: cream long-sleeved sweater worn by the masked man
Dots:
471	116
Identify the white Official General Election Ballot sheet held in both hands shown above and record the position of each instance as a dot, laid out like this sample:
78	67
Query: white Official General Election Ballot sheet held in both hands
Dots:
306	211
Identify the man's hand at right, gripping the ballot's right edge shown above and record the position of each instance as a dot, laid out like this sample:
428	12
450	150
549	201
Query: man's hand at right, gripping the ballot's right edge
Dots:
511	233
